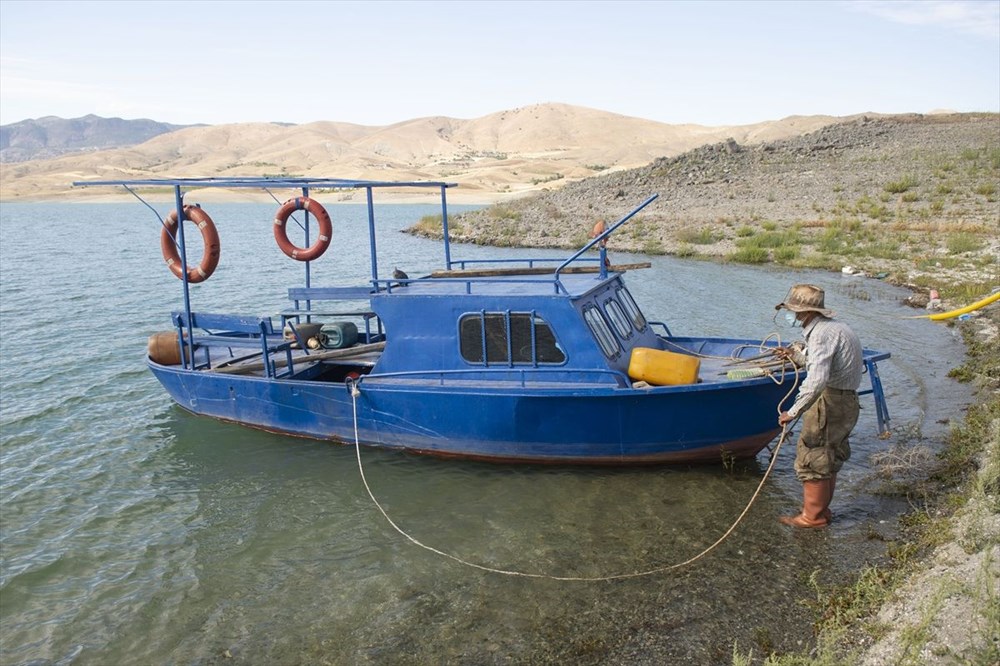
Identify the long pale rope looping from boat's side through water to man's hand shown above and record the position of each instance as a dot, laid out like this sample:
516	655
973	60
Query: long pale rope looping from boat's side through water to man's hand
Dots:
785	431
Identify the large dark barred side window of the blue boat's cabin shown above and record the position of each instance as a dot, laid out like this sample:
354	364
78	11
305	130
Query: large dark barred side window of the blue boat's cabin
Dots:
511	338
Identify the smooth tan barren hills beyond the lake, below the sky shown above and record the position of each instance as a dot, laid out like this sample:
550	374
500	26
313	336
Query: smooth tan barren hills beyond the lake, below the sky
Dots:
500	156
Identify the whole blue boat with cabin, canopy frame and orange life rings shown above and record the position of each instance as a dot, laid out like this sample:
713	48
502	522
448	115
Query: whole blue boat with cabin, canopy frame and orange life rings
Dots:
527	361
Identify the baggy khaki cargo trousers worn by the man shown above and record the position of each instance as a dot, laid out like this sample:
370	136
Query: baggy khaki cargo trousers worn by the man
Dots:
824	445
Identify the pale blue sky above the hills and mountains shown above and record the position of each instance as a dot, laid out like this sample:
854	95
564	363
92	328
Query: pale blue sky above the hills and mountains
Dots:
376	63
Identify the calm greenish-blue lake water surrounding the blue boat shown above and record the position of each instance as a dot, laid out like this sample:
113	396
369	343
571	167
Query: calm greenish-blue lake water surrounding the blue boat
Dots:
135	533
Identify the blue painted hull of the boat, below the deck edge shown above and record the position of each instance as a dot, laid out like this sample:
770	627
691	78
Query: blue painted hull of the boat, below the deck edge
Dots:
596	425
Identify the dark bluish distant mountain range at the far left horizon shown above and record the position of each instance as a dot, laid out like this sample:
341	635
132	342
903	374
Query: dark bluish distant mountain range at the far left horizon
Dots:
50	136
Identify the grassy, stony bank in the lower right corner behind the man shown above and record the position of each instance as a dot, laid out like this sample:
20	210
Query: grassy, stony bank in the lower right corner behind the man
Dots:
944	609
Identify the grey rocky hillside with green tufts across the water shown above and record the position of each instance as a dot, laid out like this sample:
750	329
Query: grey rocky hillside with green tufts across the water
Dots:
884	194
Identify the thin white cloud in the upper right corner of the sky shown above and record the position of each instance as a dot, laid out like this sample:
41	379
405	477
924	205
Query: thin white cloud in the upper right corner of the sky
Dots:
974	17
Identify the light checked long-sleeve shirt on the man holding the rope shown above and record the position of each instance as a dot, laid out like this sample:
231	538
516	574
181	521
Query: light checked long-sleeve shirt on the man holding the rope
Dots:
833	359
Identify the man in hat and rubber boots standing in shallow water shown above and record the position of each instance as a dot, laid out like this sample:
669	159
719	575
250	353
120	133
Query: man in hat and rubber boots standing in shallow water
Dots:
827	400
